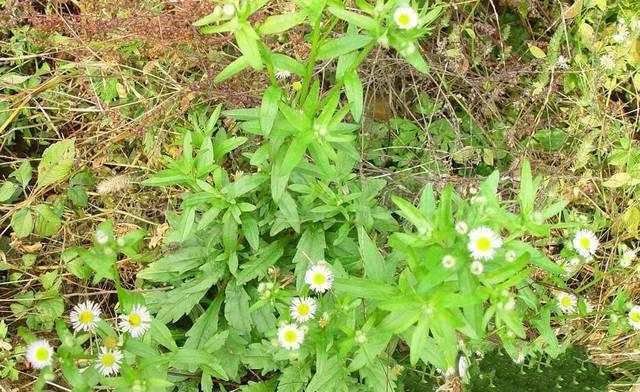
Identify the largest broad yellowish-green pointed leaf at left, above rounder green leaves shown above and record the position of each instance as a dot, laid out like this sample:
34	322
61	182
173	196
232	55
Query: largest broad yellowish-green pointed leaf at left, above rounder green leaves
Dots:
57	161
